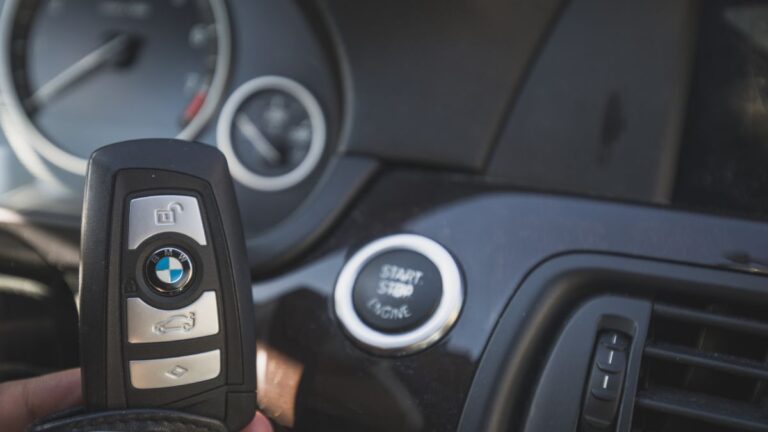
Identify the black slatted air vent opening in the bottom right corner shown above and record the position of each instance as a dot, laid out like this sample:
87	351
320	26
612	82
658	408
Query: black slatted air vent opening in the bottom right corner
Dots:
704	369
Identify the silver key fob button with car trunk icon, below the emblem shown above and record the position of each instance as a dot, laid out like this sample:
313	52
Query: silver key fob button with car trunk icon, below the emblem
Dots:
149	324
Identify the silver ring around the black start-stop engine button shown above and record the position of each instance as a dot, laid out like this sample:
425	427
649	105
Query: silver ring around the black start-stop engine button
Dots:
427	333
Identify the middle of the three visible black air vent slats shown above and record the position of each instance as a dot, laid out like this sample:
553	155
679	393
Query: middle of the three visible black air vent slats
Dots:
724	363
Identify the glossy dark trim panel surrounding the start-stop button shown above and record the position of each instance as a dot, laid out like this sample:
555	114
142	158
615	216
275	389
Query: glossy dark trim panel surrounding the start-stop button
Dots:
499	237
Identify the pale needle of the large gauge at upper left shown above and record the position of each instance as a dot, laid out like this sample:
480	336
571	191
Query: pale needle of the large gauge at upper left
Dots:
94	60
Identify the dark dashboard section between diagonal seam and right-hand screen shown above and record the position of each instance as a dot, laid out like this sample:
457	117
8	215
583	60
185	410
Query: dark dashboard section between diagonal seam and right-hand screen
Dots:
617	112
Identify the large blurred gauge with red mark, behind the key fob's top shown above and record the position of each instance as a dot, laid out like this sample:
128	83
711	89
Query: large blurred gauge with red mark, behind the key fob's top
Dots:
76	75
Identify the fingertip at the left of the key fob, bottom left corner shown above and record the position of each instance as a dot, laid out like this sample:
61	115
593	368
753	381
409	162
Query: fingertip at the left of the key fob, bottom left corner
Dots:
23	401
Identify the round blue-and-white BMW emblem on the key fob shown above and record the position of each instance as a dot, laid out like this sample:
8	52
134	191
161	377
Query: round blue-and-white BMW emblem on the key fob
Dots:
169	270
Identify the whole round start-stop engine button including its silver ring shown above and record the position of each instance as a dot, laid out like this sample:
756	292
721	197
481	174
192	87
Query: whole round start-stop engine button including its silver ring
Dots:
399	294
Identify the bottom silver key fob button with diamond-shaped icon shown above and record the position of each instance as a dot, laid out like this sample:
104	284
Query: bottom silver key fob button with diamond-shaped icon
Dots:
175	371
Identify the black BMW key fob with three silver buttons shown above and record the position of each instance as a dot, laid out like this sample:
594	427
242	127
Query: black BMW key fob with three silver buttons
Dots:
165	302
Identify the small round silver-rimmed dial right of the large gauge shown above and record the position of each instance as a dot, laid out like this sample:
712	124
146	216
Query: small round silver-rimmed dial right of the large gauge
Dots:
272	130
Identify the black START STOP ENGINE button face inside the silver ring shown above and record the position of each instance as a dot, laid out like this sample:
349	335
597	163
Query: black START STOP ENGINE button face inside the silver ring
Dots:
397	291
